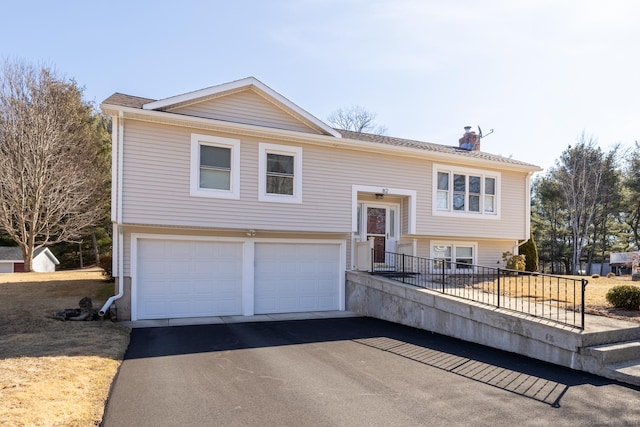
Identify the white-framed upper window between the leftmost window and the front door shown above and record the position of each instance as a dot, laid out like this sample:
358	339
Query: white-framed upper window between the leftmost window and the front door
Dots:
280	169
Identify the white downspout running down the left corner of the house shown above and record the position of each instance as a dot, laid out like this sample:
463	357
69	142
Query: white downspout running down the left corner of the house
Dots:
118	144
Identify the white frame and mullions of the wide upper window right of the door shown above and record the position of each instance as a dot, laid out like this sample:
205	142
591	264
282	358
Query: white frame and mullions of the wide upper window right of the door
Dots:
465	171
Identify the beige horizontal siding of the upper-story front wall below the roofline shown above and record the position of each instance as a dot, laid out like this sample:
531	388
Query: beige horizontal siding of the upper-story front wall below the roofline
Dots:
156	189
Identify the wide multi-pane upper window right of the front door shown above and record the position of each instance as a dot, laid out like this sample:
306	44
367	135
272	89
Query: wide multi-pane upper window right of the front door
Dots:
465	191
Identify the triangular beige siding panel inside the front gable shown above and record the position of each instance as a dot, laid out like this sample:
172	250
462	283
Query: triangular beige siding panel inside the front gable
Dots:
245	107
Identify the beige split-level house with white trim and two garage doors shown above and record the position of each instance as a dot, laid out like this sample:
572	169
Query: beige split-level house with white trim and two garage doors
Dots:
232	200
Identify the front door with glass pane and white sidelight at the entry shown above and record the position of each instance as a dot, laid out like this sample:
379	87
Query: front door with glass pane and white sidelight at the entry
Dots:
381	222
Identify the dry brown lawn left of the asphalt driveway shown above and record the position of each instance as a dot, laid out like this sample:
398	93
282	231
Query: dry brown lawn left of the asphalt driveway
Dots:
55	373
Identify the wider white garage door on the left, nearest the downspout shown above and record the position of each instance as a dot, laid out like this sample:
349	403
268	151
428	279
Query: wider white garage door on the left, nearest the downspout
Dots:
177	278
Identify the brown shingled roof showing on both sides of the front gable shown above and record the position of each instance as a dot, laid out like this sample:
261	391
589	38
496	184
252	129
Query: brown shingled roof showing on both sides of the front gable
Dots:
130	101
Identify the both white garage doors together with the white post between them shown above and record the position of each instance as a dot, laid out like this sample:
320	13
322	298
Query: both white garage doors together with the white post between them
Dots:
184	277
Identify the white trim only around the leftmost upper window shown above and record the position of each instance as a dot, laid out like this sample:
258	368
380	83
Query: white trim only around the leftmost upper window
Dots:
215	141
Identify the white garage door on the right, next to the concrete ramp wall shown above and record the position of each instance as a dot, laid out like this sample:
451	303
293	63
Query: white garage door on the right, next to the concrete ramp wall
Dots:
296	277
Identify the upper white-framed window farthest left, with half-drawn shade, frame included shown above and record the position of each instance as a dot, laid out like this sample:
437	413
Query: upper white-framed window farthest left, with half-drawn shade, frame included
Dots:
215	166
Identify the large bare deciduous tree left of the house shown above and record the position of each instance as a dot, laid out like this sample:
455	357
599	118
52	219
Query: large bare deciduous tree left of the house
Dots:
52	181
